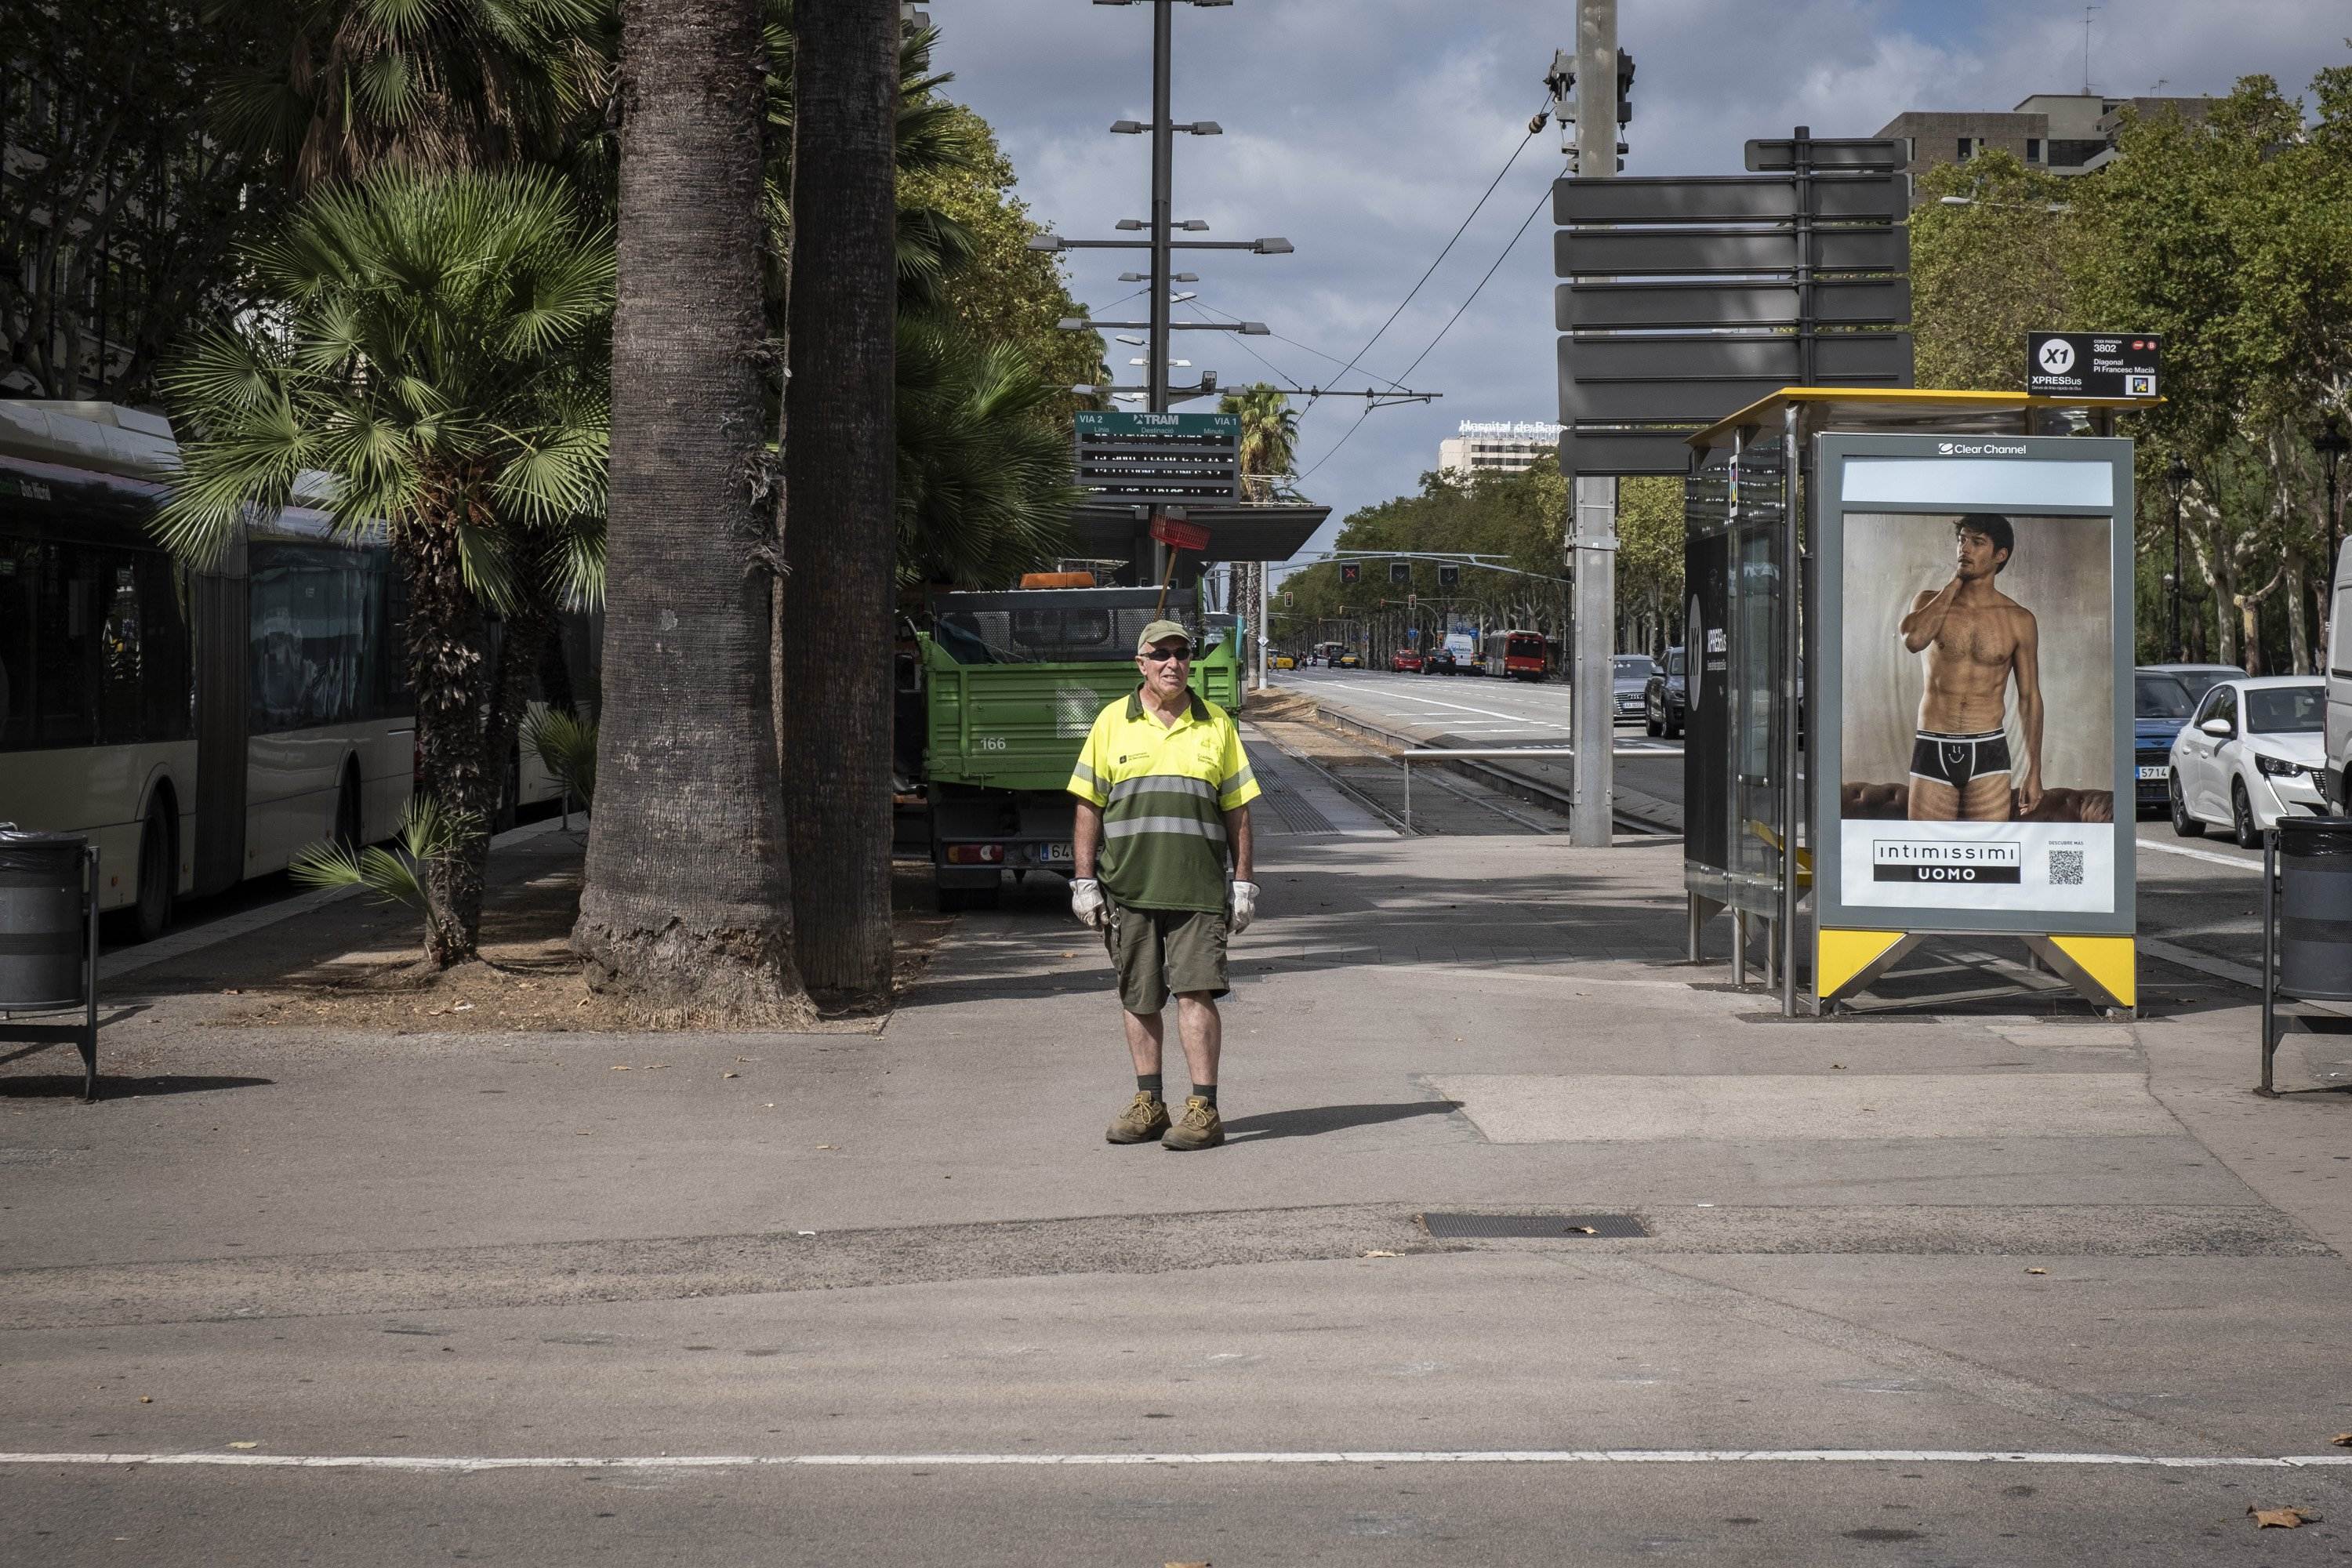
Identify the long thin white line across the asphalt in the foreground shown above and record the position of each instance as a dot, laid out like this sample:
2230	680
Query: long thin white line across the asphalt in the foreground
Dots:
1309	1456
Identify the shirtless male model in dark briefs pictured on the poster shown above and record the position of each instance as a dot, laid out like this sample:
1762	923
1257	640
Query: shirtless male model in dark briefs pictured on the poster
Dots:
1975	638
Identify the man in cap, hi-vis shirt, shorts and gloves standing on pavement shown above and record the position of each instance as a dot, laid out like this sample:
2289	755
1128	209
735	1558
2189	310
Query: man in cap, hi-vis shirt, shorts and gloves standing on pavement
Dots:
1163	796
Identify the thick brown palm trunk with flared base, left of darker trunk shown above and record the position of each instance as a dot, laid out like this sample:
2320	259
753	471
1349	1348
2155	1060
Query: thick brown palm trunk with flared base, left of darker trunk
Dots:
688	904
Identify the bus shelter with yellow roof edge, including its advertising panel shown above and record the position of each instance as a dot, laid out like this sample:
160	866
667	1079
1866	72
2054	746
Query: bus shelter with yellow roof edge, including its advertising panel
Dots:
1880	751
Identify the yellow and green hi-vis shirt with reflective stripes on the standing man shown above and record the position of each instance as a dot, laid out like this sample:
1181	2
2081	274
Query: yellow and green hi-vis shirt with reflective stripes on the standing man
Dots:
1163	791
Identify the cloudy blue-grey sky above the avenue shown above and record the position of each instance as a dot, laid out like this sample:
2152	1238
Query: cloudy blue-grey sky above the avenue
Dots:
1365	130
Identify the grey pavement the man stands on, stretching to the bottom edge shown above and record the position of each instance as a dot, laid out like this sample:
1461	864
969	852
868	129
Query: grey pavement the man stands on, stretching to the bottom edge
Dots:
2024	1231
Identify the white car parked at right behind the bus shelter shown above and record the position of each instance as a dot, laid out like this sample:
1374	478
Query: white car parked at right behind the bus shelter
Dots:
2250	756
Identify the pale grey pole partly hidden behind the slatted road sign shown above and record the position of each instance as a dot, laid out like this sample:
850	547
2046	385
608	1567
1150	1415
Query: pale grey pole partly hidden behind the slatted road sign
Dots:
1593	497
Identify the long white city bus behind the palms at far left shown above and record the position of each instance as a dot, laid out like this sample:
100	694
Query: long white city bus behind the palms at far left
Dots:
201	725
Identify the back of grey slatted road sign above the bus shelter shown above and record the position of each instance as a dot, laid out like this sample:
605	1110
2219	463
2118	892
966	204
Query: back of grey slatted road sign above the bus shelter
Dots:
1688	300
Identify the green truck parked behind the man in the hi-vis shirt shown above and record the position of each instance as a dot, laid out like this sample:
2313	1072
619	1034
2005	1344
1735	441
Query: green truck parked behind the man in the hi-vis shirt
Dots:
998	699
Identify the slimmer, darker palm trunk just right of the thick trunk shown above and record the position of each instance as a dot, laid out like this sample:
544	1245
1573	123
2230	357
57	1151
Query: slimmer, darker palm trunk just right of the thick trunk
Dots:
841	478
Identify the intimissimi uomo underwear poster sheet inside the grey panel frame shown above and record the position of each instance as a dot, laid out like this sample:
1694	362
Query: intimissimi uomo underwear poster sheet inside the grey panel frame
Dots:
1979	758
